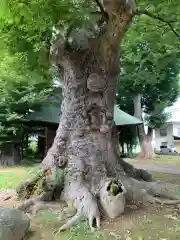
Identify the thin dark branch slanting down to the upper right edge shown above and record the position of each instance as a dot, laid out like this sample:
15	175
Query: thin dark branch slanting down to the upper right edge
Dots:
157	17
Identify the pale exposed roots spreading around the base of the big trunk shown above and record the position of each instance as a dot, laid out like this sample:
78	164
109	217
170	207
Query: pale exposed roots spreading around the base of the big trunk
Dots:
113	194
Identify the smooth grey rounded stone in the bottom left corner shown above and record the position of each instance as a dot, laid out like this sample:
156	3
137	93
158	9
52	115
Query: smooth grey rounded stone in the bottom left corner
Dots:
13	224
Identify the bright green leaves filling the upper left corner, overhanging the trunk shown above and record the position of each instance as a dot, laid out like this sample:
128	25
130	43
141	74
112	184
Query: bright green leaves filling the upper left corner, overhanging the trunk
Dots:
26	26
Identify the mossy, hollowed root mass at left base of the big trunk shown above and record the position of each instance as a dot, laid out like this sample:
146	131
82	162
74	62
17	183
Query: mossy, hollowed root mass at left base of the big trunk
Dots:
45	186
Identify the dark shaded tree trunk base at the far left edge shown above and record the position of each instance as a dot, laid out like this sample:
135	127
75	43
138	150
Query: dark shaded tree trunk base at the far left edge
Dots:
10	154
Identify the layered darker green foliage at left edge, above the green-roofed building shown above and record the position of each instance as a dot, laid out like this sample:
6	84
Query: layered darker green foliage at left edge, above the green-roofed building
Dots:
21	91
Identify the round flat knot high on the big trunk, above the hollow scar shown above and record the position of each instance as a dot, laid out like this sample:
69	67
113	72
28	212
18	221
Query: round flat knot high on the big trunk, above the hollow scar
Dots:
96	83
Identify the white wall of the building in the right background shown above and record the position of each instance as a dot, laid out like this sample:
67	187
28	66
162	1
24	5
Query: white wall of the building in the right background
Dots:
169	138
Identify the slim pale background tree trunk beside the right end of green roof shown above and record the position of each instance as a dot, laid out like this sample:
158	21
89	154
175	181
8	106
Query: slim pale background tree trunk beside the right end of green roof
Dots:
144	139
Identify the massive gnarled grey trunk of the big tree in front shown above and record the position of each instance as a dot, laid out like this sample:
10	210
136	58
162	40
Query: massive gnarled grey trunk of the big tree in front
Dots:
86	142
